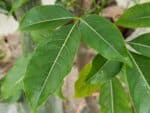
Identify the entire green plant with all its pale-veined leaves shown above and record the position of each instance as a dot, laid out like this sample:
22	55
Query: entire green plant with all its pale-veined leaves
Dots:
57	34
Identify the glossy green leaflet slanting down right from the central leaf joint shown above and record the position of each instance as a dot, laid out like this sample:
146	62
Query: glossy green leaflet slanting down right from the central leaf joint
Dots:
103	36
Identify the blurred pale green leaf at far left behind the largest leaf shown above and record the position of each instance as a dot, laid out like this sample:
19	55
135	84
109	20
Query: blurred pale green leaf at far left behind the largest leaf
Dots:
12	84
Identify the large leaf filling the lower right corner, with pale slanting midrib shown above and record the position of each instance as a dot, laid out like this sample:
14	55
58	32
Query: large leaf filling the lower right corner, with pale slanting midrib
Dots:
139	82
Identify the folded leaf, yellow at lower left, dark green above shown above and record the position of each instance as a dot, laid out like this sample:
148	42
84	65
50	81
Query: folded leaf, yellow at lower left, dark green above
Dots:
94	74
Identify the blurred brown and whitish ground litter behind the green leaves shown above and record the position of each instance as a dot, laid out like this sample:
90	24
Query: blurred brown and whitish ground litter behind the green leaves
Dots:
14	43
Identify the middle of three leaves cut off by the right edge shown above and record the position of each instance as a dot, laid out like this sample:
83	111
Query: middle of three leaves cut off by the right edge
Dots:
141	44
